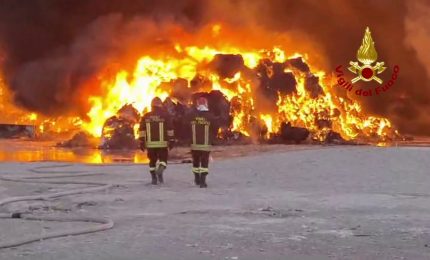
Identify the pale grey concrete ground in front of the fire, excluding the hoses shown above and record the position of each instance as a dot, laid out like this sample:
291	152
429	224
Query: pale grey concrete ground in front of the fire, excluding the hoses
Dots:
337	202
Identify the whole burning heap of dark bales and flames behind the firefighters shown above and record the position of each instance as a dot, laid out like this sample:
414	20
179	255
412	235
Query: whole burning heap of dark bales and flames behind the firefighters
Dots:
257	94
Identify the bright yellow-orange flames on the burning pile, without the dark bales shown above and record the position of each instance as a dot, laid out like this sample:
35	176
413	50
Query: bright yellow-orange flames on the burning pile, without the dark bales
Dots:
299	108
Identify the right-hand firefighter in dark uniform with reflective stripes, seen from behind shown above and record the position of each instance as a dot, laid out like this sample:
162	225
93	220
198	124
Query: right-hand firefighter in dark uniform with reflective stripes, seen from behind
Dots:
203	132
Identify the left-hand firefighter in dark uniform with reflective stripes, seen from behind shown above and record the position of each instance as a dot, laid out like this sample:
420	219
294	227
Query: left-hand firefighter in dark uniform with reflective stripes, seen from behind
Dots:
156	136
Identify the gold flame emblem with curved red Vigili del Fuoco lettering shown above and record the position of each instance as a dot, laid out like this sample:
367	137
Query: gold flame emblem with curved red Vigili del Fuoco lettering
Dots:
367	69
